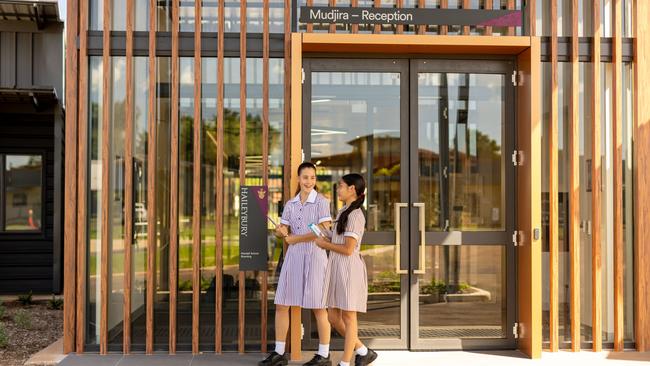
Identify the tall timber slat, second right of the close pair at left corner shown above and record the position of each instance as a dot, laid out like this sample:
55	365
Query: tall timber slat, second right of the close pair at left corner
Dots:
128	179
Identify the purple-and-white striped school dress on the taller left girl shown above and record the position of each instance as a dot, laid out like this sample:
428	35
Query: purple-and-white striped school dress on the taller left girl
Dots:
303	273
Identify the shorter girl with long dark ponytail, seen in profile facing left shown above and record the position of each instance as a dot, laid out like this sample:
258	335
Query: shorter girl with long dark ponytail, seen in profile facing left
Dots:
346	280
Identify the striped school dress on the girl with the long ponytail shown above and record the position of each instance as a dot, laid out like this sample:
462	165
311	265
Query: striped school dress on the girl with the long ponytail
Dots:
346	279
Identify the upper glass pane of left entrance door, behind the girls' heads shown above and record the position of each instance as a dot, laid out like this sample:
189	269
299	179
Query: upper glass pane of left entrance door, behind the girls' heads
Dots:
356	128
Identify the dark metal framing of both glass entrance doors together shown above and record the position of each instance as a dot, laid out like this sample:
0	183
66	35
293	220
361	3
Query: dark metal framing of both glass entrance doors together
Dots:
409	249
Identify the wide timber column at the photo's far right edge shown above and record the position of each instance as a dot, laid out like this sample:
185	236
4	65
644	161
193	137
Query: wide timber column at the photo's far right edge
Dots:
642	175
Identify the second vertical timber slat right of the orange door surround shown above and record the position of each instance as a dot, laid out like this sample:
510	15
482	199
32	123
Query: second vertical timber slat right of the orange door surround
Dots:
574	182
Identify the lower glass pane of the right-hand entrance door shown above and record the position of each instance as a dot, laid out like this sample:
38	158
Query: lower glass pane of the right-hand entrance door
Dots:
463	293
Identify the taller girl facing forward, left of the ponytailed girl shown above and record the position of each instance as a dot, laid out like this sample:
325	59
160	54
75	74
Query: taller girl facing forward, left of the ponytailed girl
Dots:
303	273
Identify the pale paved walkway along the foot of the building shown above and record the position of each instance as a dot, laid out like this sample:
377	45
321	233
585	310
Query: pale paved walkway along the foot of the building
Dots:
386	358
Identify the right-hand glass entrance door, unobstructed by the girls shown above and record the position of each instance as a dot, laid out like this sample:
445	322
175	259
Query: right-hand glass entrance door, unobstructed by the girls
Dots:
461	205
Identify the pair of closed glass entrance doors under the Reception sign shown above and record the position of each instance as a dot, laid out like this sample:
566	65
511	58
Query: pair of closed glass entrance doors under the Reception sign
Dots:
433	139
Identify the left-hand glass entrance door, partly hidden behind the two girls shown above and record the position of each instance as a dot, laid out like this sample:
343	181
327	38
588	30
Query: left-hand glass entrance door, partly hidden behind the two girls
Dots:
355	118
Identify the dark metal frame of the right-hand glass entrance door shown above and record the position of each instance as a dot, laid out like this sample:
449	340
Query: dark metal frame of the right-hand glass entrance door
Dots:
505	67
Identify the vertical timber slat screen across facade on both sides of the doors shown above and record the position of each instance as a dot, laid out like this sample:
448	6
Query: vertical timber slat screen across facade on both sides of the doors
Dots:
564	229
